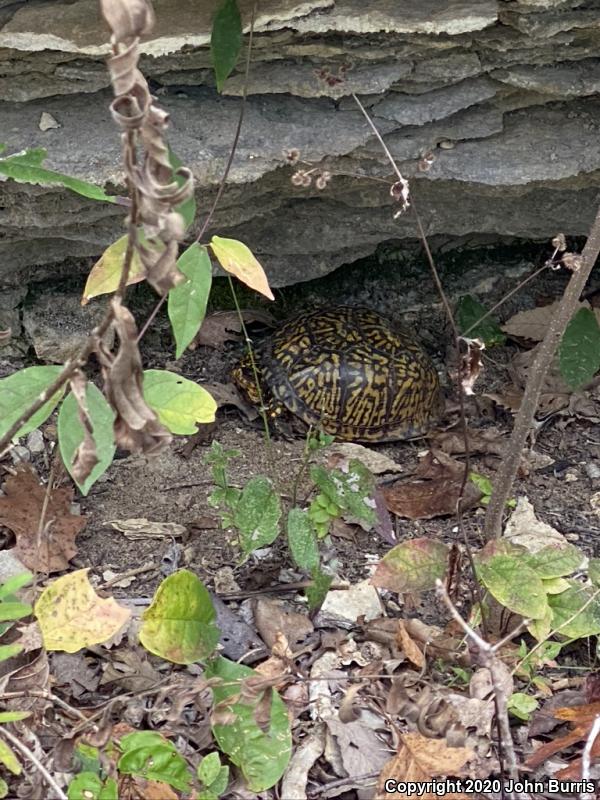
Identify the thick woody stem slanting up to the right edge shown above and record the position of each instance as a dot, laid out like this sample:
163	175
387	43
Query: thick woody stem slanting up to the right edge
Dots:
507	473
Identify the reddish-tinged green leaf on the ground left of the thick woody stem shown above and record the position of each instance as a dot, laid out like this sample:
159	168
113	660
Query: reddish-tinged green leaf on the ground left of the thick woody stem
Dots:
412	566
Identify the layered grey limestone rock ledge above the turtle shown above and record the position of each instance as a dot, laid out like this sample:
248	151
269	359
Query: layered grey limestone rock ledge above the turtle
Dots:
501	96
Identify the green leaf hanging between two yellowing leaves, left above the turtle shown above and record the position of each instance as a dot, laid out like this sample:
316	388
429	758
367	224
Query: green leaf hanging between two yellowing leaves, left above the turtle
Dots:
187	300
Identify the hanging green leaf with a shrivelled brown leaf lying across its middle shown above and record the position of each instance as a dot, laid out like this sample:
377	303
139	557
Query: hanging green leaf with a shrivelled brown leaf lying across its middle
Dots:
71	434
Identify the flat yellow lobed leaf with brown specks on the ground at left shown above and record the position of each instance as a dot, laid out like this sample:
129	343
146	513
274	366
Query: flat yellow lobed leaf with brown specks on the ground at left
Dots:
72	616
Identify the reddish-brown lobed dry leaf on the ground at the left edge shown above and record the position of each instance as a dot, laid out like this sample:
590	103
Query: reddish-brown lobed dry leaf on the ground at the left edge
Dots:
21	511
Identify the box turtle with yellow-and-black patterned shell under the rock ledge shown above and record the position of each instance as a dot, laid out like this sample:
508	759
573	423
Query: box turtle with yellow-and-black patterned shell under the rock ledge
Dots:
347	372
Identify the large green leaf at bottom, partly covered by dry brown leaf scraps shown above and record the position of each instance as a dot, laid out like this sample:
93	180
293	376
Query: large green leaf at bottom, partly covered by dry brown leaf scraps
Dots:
261	755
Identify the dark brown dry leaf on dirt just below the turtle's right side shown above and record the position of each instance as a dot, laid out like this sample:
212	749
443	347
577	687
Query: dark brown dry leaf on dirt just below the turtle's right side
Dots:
433	491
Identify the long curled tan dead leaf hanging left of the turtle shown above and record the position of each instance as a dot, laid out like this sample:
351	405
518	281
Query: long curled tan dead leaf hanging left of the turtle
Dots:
136	425
